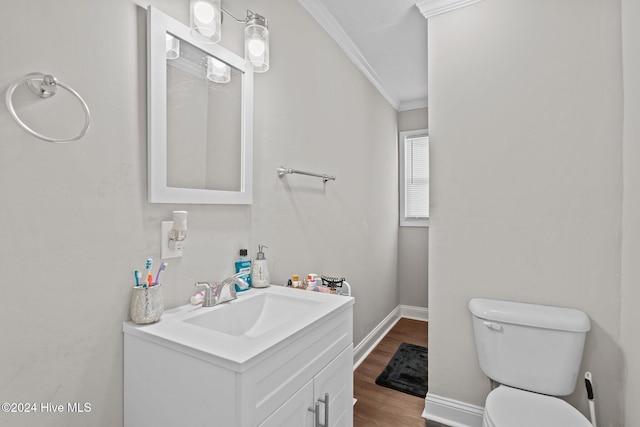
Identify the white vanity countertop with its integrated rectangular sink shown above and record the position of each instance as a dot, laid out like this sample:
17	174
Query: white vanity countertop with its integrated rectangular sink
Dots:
241	333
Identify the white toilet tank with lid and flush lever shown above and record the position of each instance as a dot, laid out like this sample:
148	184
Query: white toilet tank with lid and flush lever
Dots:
532	347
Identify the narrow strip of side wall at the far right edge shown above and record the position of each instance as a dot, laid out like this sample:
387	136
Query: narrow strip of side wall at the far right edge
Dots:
630	318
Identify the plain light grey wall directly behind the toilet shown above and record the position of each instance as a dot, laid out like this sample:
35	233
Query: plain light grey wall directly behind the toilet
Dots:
526	148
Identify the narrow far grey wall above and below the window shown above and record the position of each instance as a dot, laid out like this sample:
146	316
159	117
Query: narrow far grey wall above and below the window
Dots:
413	242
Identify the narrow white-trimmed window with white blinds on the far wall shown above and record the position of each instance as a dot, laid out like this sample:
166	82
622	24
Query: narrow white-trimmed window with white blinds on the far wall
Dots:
414	178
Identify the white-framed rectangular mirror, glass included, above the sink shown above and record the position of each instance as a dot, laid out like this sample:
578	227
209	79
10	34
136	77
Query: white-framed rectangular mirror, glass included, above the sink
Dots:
200	118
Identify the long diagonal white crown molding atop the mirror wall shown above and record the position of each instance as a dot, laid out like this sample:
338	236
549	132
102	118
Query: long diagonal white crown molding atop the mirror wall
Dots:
320	13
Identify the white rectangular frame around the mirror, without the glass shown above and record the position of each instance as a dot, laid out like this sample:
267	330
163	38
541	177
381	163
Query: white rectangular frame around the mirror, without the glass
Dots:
158	24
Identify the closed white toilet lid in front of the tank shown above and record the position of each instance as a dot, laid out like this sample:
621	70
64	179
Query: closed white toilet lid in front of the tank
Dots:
506	406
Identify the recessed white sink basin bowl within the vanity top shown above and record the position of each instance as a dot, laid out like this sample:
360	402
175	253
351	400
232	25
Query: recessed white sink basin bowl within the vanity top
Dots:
252	317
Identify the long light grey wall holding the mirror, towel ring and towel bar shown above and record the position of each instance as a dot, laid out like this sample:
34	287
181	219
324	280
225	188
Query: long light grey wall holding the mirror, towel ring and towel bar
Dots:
76	221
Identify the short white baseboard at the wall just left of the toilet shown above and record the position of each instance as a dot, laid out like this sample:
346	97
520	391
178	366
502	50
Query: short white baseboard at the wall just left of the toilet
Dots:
452	412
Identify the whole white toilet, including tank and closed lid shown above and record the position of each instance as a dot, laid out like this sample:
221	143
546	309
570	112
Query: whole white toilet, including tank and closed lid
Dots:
534	352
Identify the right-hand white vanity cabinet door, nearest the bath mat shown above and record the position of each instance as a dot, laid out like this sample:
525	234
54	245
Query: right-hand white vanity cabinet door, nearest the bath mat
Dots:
337	380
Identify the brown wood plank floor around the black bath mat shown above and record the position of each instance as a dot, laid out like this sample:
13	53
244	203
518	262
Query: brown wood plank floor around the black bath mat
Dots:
379	406
